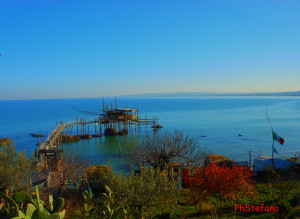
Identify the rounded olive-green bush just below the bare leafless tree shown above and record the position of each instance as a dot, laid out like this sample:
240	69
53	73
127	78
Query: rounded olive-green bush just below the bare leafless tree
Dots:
140	193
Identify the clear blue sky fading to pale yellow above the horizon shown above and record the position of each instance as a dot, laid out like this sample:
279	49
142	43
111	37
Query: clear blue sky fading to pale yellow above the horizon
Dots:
75	49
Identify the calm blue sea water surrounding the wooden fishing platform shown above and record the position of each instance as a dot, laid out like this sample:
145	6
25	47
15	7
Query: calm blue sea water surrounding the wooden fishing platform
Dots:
221	119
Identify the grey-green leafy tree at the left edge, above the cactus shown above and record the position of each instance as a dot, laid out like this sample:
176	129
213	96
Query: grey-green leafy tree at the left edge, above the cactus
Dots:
15	169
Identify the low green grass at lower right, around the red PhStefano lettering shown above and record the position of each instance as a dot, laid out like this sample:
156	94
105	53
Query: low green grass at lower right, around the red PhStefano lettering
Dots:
269	194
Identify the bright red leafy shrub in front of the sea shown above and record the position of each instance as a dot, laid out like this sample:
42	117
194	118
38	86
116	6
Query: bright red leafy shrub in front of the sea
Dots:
222	181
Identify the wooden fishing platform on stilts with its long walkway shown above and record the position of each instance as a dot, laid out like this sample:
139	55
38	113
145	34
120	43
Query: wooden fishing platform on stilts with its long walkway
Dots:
113	120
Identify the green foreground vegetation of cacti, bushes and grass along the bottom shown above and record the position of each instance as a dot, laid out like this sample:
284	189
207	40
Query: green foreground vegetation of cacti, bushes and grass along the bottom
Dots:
152	195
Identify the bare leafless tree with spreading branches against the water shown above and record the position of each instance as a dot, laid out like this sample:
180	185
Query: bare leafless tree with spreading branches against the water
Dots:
161	150
